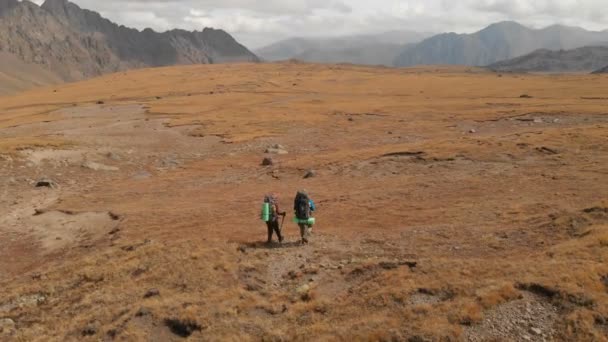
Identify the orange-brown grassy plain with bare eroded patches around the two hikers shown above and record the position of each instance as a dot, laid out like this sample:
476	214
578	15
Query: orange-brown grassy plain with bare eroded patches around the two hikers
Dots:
450	207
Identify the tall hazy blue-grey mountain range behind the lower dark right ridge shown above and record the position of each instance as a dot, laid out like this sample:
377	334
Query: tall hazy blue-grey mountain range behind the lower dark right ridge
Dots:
497	42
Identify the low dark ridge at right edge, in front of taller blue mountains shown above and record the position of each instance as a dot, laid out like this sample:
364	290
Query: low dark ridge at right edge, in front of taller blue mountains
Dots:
585	59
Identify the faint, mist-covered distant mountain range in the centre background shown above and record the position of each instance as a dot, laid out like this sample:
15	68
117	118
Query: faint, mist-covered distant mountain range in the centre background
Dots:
373	49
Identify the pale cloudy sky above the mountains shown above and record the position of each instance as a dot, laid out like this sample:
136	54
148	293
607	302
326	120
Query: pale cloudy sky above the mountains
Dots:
259	22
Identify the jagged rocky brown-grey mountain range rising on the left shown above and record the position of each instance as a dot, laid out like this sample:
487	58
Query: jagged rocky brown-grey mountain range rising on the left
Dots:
75	43
